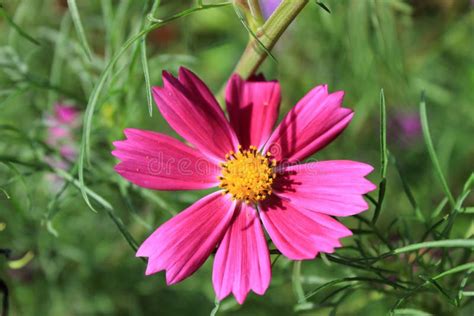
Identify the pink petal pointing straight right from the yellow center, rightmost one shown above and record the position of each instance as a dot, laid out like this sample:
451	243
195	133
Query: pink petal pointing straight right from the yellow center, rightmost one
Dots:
333	187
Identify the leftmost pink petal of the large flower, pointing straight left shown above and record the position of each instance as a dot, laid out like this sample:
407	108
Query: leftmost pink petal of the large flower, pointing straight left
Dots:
156	161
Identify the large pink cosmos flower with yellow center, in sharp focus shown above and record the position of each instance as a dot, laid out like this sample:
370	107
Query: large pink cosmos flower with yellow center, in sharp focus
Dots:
260	183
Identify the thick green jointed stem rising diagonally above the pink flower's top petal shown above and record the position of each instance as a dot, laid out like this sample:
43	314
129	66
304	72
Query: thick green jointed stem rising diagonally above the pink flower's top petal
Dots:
268	35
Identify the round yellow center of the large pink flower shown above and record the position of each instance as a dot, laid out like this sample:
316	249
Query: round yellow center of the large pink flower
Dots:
248	175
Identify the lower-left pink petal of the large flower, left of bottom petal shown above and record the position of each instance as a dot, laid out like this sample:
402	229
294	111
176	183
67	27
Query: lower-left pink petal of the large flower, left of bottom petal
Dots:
182	244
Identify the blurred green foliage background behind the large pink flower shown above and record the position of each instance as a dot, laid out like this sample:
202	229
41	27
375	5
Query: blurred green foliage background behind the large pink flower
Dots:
60	258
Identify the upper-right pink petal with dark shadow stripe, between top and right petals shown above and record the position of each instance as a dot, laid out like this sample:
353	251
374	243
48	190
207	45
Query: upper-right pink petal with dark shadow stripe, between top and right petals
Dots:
312	124
